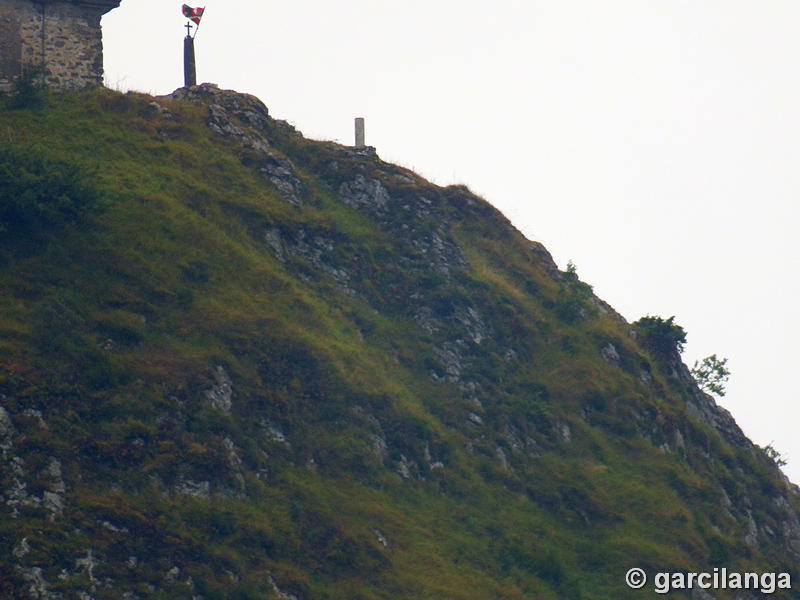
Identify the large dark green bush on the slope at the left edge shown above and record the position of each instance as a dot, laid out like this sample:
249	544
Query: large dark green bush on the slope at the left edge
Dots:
39	192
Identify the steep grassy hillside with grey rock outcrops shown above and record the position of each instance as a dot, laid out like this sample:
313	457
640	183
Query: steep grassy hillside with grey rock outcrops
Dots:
266	366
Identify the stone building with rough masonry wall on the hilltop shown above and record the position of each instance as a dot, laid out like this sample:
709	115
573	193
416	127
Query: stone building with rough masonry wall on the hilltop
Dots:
63	35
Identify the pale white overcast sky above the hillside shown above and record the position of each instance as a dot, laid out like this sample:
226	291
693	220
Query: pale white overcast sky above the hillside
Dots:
653	143
